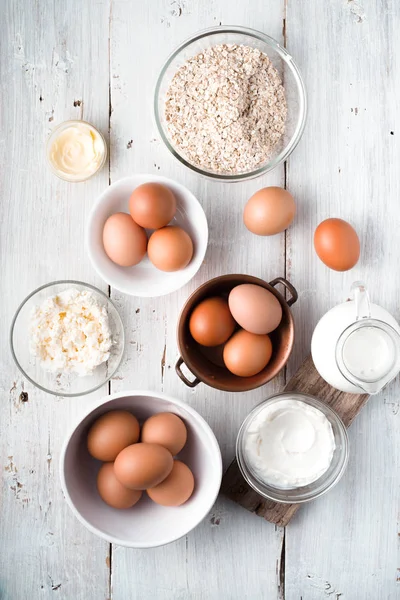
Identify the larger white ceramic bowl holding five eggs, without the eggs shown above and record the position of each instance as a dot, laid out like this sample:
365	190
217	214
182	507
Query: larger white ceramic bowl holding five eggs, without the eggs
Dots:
147	524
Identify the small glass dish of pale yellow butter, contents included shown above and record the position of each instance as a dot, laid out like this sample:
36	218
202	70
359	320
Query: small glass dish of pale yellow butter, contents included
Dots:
76	151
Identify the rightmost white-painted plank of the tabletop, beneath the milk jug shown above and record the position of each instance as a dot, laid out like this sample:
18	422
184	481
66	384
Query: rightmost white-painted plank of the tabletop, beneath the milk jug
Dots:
346	545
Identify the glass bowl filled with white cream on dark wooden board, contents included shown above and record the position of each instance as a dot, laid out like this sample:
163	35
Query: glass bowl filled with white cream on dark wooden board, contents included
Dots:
292	448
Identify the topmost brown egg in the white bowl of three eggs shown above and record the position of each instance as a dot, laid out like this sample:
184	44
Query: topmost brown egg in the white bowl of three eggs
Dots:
152	205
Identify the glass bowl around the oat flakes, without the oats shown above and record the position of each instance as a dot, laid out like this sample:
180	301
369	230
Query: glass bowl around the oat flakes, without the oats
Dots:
282	61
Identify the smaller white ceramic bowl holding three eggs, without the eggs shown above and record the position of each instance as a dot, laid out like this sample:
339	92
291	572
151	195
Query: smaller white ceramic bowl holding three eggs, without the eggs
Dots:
144	279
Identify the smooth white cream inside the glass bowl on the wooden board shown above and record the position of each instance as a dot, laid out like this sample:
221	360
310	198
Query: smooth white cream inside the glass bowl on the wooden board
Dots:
289	444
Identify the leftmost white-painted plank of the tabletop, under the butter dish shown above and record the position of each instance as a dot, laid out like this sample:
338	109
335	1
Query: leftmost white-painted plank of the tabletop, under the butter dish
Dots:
48	75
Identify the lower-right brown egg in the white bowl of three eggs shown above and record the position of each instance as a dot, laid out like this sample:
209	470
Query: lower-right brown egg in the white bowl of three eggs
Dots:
170	249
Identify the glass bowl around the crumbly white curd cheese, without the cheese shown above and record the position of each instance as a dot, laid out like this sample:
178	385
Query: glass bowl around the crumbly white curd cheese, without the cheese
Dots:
62	384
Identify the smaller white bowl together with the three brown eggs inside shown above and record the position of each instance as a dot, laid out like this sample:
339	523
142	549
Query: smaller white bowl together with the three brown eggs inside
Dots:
106	237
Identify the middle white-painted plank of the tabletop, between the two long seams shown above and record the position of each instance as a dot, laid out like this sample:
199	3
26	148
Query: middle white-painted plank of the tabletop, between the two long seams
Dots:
221	557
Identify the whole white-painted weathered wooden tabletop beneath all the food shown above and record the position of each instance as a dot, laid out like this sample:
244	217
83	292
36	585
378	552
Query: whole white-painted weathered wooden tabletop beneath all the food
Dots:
99	60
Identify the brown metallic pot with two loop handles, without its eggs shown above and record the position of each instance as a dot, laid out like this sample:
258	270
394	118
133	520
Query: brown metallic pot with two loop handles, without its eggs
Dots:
206	364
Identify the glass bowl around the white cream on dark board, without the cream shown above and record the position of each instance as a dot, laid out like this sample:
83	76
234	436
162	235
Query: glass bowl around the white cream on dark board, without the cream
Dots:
307	492
